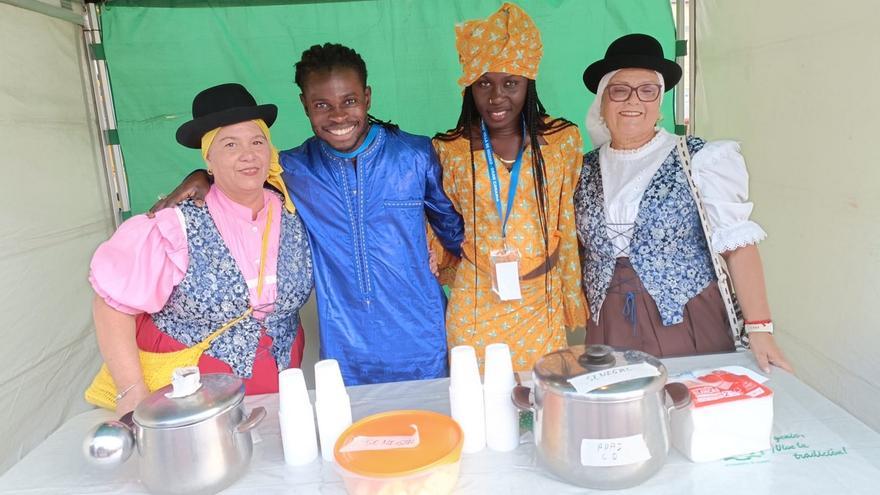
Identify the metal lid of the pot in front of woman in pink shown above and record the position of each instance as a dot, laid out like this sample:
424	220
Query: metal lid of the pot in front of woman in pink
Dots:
219	392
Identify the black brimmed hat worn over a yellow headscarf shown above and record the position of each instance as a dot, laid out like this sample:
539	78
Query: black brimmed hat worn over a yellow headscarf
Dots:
219	106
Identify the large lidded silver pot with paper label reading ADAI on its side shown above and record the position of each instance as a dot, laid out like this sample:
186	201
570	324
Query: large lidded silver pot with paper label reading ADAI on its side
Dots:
601	415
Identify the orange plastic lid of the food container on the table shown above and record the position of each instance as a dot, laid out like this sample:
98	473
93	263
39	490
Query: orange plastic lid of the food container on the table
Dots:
398	443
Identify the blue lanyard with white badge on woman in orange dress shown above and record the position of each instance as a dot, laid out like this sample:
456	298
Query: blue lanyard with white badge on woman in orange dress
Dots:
505	261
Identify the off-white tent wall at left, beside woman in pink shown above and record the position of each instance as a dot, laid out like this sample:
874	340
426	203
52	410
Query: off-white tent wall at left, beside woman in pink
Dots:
55	211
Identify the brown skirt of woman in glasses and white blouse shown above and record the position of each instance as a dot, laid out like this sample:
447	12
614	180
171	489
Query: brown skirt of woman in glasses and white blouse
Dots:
629	319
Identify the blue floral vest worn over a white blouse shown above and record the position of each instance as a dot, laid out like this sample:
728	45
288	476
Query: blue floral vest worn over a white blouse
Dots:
668	249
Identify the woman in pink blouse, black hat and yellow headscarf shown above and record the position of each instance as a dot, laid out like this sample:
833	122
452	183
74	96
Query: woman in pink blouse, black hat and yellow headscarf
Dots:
170	282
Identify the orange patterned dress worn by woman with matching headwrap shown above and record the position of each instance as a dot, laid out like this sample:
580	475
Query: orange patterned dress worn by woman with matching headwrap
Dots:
552	299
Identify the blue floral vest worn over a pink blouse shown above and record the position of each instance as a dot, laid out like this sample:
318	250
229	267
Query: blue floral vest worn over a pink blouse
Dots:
213	291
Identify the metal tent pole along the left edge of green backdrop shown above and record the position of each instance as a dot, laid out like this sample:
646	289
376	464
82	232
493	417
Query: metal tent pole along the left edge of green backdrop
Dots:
102	98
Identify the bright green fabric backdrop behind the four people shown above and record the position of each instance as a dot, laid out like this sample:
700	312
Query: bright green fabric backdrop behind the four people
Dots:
161	53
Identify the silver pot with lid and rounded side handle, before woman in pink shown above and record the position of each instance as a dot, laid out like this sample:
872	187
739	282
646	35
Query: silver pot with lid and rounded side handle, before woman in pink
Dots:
198	443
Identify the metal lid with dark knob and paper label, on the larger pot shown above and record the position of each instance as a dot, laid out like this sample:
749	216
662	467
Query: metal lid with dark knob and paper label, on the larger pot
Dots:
601	372
